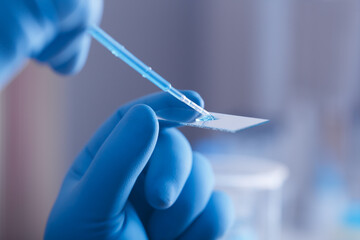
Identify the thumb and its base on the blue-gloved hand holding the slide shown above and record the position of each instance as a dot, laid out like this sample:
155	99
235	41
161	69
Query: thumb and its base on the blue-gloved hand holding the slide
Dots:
93	201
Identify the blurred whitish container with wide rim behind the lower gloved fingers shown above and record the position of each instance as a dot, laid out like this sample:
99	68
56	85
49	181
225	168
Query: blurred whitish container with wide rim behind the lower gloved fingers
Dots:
255	186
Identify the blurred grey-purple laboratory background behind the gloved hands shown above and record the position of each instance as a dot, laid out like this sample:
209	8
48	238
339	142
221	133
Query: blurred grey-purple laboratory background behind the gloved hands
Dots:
294	62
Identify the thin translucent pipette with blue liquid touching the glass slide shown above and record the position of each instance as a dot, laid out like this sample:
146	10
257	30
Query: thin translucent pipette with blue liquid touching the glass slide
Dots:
121	52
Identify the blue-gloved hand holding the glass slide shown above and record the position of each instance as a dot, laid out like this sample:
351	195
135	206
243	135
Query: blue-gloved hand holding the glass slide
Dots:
138	180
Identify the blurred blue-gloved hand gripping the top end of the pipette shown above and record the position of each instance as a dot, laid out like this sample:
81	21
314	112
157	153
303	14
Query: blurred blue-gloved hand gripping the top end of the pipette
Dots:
51	31
